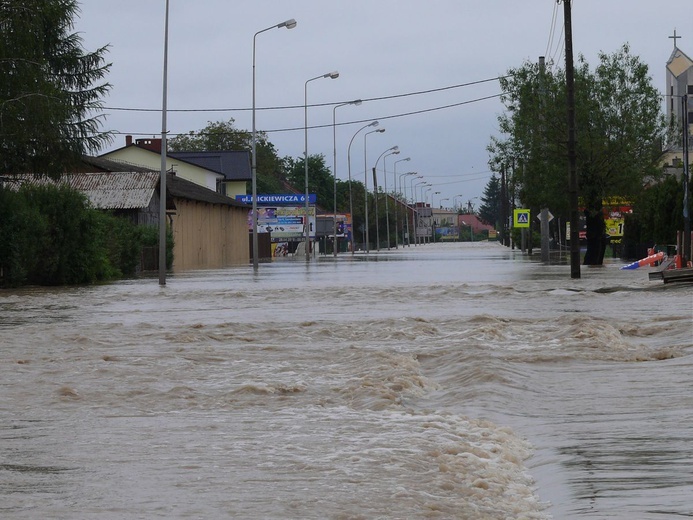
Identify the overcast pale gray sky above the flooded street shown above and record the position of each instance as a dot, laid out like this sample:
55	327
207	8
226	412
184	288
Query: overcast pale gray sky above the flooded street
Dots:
380	48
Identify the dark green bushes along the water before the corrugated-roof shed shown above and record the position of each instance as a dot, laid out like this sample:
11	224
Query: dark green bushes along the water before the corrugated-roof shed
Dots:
51	236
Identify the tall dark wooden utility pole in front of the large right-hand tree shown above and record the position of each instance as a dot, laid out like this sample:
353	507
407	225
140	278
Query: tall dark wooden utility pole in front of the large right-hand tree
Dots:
572	159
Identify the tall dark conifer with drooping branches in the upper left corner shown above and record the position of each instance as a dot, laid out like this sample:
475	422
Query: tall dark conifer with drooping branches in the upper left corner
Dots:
50	88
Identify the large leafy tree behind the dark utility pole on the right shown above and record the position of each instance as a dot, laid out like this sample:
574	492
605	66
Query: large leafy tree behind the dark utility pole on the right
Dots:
619	127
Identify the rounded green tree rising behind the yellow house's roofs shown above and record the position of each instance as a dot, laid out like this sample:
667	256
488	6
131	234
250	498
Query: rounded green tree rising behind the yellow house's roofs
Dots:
222	136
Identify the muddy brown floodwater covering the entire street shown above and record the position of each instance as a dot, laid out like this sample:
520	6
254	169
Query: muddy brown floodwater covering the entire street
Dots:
458	381
